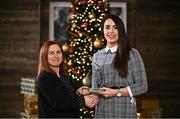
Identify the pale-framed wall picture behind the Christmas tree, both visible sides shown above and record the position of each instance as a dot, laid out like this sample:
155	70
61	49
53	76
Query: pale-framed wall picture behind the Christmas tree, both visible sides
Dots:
59	15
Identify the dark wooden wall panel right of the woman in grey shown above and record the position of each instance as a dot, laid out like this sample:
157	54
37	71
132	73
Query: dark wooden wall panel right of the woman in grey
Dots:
158	40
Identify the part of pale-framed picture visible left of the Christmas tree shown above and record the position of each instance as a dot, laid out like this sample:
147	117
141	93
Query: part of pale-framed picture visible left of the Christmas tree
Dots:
59	15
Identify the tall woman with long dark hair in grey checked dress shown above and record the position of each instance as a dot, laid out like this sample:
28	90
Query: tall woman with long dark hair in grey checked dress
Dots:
122	74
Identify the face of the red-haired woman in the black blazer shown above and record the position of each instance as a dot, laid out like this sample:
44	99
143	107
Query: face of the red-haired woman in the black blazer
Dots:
55	56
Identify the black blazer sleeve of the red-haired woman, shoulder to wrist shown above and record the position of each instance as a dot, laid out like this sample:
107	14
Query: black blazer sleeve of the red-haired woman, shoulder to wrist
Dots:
53	92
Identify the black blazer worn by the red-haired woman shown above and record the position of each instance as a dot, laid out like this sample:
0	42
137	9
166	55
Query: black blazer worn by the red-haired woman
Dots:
56	98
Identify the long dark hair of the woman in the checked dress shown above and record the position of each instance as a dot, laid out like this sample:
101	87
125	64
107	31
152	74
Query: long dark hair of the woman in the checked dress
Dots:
121	58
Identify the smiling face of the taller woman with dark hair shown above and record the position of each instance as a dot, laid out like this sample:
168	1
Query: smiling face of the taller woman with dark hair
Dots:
110	32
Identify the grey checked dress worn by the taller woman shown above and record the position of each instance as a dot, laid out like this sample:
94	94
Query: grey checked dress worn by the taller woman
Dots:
104	75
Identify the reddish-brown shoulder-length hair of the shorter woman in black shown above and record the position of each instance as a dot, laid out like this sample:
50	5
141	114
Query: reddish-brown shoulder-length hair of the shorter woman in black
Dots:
43	58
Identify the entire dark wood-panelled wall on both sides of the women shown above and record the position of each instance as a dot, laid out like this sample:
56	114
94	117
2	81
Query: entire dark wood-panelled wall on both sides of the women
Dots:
152	26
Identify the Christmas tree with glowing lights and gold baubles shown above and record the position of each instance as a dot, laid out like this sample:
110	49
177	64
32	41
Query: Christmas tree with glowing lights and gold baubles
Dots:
84	40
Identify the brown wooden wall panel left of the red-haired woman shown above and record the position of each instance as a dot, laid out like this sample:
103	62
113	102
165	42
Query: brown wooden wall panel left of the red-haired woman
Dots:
19	47
